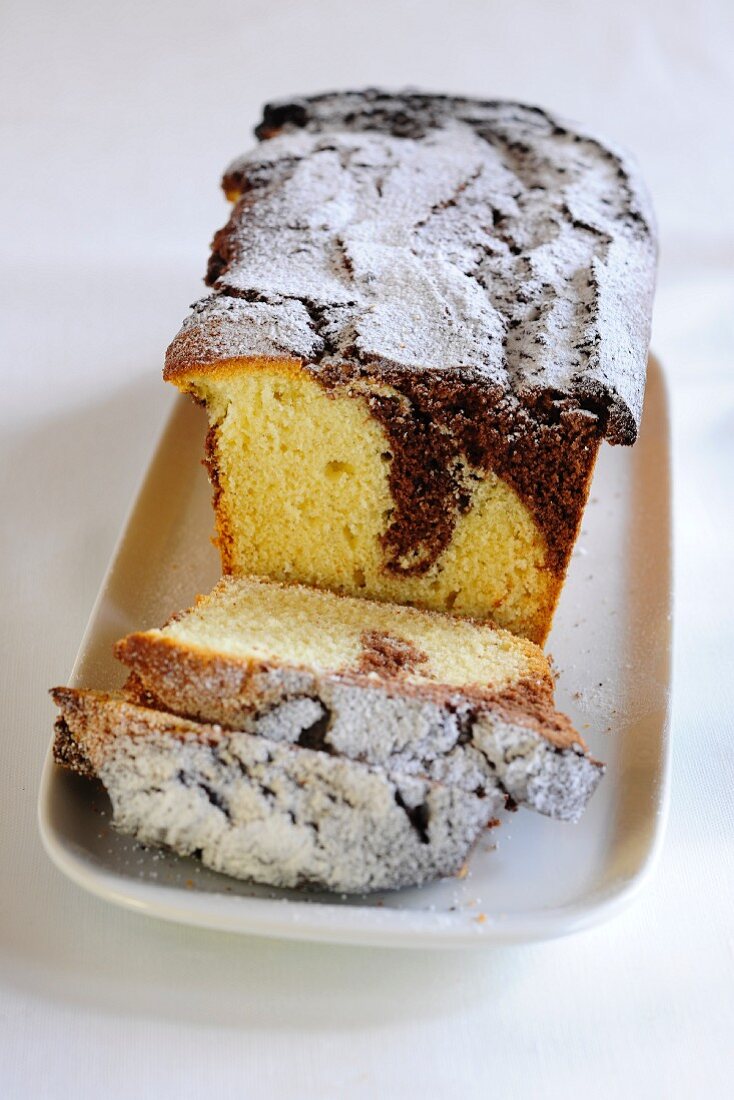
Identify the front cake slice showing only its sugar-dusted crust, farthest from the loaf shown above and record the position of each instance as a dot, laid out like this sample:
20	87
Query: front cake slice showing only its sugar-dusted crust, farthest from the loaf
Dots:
266	811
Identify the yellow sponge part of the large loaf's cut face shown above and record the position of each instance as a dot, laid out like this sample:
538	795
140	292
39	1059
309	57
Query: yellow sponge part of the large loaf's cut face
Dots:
302	478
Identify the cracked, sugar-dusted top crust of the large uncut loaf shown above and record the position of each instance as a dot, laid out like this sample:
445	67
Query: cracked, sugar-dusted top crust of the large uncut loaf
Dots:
408	233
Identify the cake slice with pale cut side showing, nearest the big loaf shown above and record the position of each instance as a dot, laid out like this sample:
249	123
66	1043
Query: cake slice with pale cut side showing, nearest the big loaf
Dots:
414	691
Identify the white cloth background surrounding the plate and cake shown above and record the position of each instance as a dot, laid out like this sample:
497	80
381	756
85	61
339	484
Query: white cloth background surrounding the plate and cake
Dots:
116	122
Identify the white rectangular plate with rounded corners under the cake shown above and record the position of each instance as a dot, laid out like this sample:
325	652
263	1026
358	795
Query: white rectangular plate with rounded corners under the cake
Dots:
532	879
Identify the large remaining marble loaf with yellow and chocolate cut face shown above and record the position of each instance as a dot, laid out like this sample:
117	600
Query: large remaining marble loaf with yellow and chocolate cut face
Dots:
426	315
